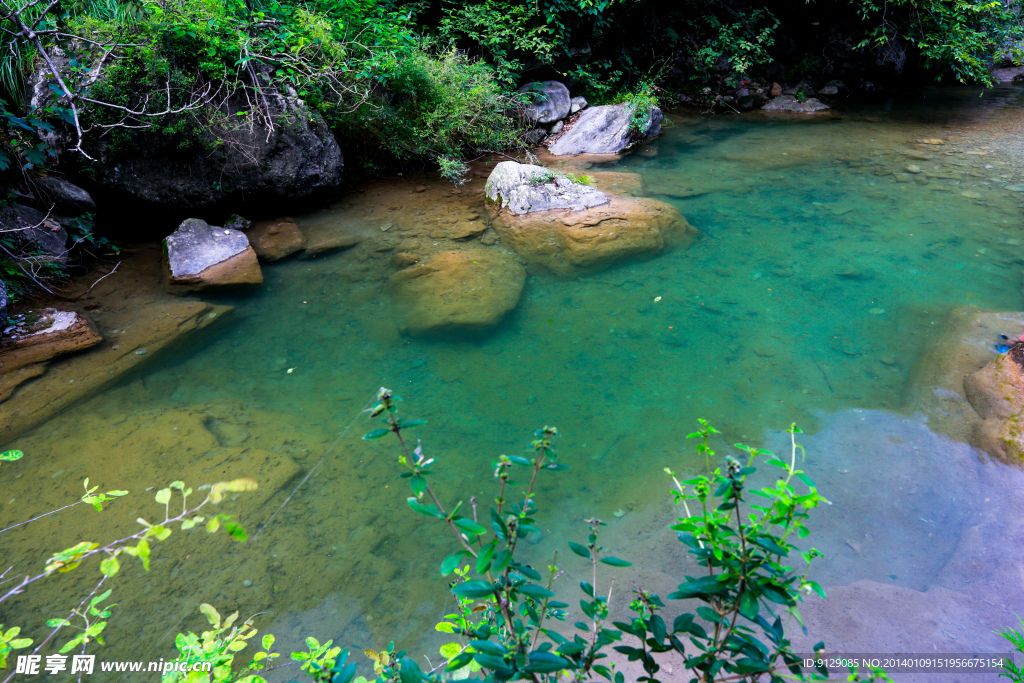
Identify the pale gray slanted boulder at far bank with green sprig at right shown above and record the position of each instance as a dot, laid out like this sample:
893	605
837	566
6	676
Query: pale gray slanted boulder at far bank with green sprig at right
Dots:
607	131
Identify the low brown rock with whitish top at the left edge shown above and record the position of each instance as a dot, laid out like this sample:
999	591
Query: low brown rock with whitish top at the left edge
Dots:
53	333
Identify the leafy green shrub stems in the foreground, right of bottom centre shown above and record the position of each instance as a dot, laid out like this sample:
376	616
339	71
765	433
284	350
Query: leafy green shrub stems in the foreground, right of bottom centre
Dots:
752	576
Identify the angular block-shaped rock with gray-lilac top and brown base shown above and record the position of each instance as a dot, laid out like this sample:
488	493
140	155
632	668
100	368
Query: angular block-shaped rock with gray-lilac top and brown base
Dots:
201	257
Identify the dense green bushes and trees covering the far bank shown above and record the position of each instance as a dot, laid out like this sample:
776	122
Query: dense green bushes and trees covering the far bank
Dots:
432	82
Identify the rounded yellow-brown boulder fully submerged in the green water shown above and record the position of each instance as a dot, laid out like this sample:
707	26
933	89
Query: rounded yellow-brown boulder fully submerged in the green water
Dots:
459	291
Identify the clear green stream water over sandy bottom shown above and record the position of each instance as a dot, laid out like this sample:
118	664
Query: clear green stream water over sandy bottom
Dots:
826	265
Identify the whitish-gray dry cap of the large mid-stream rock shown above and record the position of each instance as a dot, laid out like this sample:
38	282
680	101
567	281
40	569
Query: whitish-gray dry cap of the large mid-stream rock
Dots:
527	189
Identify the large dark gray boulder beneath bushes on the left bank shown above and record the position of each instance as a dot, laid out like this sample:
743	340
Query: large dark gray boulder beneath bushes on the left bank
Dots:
234	163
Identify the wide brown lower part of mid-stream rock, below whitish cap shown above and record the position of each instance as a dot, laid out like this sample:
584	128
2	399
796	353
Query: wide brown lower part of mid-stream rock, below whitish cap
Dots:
569	244
